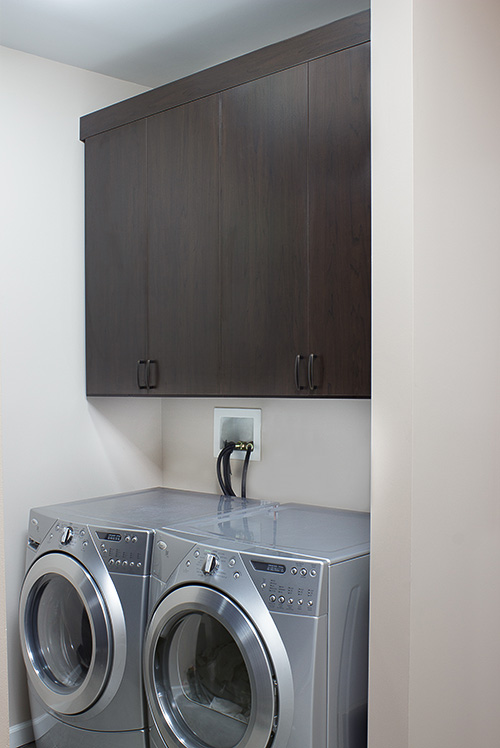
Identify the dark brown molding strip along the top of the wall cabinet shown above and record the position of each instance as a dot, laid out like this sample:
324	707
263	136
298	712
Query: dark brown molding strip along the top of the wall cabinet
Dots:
347	32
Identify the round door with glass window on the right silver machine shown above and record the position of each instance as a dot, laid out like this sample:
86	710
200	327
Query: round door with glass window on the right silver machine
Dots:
209	680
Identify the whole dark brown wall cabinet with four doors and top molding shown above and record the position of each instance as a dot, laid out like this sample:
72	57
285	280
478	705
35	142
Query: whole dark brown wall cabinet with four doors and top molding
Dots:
228	233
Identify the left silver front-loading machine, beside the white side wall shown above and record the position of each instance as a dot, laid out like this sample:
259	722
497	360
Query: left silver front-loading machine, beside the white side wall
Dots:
83	609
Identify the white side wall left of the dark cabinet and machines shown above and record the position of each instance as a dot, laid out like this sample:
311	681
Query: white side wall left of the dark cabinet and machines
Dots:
56	445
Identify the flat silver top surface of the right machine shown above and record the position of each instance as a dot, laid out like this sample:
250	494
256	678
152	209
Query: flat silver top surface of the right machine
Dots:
290	529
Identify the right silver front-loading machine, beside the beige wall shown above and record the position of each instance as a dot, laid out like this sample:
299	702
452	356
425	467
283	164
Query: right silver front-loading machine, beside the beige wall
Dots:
258	632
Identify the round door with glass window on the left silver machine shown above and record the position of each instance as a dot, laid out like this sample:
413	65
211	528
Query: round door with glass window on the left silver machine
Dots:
65	634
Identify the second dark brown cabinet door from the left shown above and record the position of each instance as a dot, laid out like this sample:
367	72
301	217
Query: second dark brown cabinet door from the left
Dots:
183	204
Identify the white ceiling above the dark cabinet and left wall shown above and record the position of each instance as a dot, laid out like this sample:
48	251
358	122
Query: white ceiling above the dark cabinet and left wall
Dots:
156	41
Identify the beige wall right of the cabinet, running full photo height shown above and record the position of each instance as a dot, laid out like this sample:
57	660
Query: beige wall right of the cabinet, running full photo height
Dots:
435	641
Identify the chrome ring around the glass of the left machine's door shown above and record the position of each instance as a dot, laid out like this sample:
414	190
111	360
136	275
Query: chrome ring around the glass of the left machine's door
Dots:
62	700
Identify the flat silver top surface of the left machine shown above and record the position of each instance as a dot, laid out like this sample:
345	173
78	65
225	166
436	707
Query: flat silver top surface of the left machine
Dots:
149	509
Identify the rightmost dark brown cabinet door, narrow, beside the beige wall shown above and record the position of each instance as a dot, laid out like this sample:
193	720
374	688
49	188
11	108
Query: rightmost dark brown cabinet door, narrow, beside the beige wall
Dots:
339	187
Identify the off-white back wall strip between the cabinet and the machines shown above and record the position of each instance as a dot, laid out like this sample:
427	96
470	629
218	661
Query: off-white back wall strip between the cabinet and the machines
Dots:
313	451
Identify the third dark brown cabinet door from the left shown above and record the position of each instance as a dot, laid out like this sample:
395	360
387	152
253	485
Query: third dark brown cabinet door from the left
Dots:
264	233
